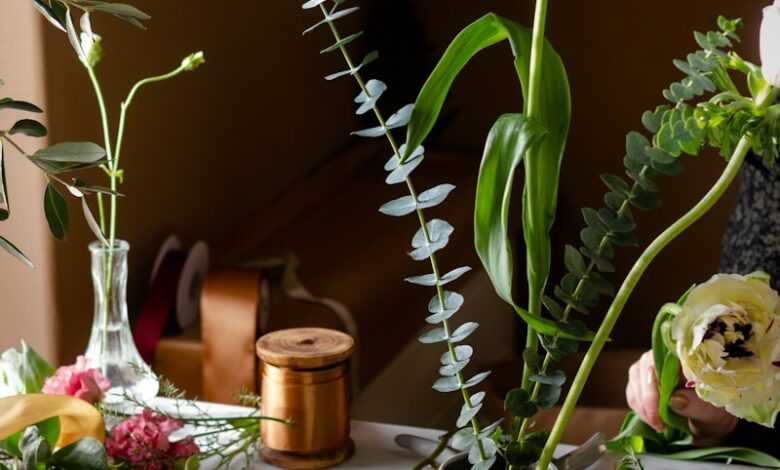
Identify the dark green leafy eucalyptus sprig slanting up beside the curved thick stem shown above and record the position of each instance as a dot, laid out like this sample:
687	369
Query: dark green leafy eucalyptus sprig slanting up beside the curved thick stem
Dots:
677	129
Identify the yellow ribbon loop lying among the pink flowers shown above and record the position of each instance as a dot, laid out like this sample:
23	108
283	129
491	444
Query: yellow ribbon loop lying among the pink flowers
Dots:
78	419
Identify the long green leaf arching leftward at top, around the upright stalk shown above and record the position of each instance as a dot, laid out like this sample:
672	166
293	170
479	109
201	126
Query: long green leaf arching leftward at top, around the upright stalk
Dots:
542	163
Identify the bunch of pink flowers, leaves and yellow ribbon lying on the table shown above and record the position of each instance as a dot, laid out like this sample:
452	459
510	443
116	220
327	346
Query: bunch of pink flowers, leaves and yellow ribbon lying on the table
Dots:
56	419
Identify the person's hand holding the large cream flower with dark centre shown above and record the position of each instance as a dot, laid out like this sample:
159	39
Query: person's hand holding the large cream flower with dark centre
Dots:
709	425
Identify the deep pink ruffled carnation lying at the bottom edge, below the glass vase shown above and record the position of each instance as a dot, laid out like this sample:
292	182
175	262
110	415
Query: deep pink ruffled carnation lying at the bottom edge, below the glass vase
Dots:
143	442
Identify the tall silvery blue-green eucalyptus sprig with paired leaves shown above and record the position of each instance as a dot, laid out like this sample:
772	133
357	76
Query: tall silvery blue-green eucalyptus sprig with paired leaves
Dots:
431	237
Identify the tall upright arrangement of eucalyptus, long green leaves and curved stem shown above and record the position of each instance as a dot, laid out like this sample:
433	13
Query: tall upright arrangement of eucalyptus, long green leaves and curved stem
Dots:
706	108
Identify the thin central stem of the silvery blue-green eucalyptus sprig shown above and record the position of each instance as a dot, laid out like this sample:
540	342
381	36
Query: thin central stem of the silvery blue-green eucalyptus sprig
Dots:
421	218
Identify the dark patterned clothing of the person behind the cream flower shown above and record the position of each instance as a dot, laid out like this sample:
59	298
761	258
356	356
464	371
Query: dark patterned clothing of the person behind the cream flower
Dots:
752	242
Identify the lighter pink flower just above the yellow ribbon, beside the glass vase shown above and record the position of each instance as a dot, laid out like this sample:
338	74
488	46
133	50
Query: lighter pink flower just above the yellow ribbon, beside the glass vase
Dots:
78	381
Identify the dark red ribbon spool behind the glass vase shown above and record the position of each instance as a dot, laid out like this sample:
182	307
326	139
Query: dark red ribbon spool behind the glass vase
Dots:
174	291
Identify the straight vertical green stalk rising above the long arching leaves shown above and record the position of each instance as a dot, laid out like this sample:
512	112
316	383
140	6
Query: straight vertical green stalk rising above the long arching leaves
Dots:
532	109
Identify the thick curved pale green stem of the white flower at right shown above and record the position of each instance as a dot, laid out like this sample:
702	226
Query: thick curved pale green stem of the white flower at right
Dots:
639	268
